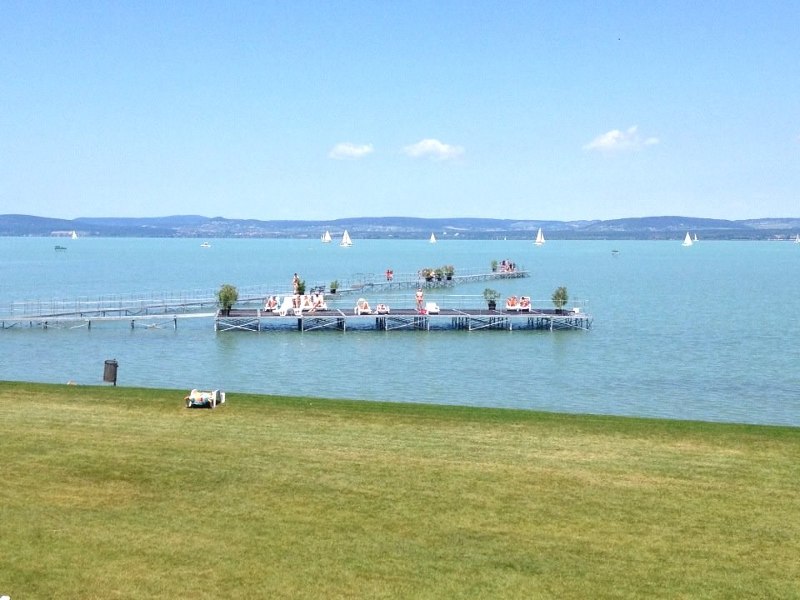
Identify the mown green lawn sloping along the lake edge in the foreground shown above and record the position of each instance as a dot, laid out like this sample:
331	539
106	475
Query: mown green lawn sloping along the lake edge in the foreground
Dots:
123	493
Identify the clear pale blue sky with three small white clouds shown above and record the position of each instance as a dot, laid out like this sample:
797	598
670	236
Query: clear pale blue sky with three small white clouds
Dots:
322	110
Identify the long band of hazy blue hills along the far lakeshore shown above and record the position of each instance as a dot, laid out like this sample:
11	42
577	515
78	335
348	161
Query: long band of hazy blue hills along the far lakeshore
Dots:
193	226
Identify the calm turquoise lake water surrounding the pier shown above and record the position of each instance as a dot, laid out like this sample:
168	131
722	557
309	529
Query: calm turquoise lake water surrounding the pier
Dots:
708	332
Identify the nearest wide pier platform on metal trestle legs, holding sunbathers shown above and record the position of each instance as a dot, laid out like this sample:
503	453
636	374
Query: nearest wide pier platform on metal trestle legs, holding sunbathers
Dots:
404	319
